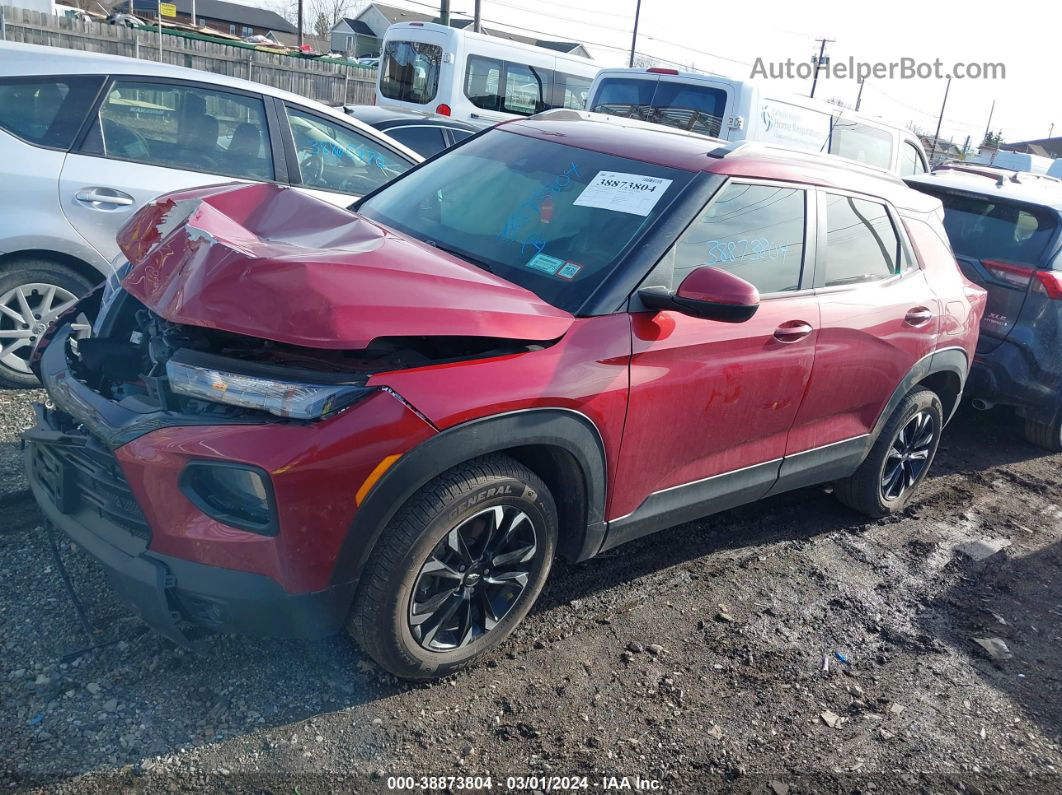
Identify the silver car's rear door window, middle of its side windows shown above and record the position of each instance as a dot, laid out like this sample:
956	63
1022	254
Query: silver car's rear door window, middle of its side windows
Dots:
184	128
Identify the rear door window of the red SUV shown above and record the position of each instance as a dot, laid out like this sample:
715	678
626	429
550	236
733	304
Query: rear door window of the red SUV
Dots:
862	243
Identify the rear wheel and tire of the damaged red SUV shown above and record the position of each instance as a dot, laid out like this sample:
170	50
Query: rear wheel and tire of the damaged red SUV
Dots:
910	442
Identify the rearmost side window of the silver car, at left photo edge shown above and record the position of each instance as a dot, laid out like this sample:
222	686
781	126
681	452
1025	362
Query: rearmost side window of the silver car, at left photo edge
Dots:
47	112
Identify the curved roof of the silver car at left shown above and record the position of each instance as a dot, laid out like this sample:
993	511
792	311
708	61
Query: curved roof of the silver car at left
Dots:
23	61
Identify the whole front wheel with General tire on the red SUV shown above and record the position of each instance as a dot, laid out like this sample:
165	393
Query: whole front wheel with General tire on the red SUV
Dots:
457	569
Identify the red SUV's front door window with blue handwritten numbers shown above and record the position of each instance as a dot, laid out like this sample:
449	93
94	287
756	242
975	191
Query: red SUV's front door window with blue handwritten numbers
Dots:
756	232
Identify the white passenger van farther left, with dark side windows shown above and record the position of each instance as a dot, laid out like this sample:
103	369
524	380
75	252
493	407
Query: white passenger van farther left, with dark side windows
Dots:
476	78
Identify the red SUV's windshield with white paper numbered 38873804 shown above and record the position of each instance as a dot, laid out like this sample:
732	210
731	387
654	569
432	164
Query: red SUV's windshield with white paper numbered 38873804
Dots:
547	217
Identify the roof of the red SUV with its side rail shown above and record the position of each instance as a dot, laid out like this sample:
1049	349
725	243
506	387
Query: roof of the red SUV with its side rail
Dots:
693	152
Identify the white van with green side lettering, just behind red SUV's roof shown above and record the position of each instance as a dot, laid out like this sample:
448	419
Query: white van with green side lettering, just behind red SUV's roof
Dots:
736	110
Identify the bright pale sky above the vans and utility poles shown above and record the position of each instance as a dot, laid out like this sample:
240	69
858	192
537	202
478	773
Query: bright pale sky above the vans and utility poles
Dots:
729	38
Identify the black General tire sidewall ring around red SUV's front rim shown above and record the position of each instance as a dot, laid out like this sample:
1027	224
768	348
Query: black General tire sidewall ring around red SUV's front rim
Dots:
534	499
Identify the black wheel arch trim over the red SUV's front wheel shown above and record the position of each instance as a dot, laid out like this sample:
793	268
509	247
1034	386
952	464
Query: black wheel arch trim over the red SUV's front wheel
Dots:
564	429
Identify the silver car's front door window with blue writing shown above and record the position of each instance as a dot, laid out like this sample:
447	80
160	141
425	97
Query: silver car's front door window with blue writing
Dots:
335	158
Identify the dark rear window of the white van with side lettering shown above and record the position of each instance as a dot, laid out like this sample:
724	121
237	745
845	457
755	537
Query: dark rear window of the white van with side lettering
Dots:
684	106
